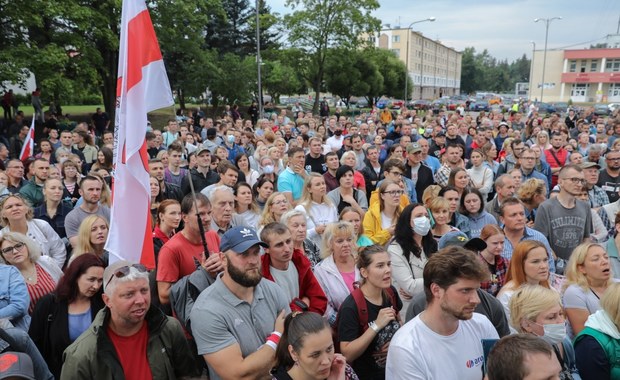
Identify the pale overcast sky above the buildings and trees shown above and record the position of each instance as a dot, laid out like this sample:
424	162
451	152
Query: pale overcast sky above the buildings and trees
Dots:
504	27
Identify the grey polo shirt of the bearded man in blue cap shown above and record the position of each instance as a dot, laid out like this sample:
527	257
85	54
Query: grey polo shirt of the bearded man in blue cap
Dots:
220	319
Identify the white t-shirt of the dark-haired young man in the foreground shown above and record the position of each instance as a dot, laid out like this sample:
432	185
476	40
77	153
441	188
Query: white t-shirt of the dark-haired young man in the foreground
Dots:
417	352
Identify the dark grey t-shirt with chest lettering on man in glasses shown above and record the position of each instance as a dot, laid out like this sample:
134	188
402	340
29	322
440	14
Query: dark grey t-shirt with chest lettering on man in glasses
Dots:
564	228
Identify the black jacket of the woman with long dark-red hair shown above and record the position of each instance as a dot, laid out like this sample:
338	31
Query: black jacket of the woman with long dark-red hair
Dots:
49	328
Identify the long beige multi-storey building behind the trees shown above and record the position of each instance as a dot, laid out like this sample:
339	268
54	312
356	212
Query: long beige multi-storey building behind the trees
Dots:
434	68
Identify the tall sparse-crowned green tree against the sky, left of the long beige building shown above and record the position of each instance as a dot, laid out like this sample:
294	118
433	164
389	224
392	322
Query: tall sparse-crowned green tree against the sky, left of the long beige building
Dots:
316	25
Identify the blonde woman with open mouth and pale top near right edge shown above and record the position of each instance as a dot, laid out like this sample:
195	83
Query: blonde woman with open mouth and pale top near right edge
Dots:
588	275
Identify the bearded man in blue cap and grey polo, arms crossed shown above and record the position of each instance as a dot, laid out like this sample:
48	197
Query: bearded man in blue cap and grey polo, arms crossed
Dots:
233	318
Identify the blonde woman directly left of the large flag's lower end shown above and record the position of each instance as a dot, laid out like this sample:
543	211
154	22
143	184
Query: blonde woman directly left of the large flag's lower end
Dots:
92	236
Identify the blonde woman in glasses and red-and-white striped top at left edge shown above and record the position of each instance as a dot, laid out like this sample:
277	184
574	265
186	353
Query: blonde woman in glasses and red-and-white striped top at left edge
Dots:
41	273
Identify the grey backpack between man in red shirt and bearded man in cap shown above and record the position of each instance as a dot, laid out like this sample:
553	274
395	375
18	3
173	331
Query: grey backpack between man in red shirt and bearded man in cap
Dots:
183	294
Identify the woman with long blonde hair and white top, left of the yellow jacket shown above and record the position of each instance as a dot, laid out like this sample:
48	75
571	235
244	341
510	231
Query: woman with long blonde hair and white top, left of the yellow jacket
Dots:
318	207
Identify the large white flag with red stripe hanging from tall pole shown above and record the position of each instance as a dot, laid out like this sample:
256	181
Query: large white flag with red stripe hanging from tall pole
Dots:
142	86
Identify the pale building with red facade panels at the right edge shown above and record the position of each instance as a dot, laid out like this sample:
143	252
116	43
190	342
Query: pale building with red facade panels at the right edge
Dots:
584	75
